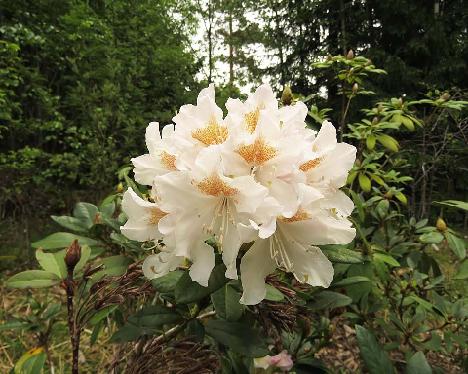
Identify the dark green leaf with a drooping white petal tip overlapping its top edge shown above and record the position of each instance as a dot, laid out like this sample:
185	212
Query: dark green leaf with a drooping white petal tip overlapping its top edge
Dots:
187	291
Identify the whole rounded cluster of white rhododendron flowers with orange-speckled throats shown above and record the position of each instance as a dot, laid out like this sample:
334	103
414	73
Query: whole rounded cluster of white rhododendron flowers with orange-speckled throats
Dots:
257	175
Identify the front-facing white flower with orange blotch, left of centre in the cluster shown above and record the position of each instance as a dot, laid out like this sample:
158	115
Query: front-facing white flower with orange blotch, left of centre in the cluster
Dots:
207	204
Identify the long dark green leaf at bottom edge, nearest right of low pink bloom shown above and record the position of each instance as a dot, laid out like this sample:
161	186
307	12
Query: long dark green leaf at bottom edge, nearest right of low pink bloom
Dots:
375	358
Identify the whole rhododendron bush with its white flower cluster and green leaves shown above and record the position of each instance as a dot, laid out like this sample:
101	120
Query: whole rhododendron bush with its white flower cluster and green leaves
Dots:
254	239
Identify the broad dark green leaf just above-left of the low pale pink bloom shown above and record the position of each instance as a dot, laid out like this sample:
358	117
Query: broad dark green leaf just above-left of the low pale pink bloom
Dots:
239	337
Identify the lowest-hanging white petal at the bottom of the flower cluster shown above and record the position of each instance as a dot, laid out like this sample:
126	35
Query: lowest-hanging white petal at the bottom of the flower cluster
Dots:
256	264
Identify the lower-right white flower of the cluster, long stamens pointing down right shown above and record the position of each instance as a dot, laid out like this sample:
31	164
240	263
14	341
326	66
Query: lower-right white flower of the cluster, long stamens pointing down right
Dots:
290	248
